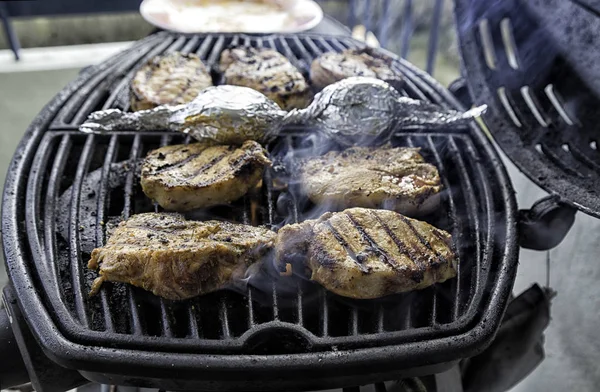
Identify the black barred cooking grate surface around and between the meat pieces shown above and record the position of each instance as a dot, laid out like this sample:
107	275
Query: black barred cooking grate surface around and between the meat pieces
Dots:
79	185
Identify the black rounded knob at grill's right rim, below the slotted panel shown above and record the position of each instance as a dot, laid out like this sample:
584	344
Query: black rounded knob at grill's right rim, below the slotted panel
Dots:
545	224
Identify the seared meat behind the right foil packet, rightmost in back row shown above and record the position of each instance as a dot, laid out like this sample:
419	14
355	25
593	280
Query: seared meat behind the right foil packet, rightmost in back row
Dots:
332	67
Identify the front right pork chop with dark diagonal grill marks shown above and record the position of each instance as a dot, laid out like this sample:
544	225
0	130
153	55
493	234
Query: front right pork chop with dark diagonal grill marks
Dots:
365	253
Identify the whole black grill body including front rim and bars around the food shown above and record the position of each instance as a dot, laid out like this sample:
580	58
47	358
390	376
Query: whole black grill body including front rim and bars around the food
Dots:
63	188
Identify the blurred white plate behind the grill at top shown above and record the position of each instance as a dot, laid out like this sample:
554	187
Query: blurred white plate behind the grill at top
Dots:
239	16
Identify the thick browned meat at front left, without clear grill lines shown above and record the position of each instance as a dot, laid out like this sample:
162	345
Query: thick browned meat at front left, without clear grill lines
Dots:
178	259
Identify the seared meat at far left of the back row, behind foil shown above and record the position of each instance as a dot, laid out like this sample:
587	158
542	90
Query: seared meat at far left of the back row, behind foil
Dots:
171	79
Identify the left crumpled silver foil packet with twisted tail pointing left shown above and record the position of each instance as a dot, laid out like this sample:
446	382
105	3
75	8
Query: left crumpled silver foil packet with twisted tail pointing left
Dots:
219	114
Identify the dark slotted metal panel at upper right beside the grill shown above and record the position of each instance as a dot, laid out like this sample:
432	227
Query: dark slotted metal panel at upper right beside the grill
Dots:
531	62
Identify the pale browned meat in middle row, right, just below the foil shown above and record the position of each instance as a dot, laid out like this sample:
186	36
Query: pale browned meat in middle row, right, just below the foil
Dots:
391	178
